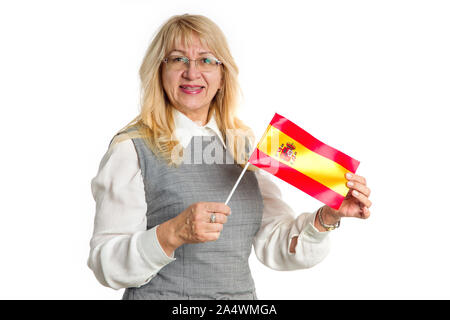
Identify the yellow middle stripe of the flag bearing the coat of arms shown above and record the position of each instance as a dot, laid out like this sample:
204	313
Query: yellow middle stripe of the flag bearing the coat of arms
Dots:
311	164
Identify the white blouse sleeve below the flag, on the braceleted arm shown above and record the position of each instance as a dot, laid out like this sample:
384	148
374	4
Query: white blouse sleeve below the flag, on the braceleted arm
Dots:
280	225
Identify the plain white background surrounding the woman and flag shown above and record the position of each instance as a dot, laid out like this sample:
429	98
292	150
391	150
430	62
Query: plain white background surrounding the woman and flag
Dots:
370	78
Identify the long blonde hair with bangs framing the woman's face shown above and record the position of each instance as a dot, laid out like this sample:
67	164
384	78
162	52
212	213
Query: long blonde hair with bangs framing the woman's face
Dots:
155	122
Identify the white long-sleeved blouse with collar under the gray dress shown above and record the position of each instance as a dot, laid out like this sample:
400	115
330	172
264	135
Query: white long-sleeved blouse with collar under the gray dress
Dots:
123	253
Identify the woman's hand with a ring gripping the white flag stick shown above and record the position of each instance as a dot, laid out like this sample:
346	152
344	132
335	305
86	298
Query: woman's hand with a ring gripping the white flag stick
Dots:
193	225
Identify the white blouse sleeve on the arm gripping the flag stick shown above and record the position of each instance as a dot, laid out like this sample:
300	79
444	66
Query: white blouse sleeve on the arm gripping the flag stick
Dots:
123	253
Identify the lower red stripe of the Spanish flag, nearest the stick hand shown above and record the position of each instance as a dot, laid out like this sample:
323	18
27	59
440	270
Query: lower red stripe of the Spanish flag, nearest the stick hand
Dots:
297	179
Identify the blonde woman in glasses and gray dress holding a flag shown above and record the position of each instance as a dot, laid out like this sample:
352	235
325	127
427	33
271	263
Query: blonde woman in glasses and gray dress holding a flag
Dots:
162	230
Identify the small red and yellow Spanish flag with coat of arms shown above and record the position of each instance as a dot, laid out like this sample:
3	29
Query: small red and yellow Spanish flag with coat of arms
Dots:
293	155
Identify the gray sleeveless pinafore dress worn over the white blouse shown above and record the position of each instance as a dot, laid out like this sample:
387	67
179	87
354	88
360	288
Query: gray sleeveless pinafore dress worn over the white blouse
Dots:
211	270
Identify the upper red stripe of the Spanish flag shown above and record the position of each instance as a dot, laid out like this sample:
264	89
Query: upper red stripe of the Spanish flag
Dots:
297	133
